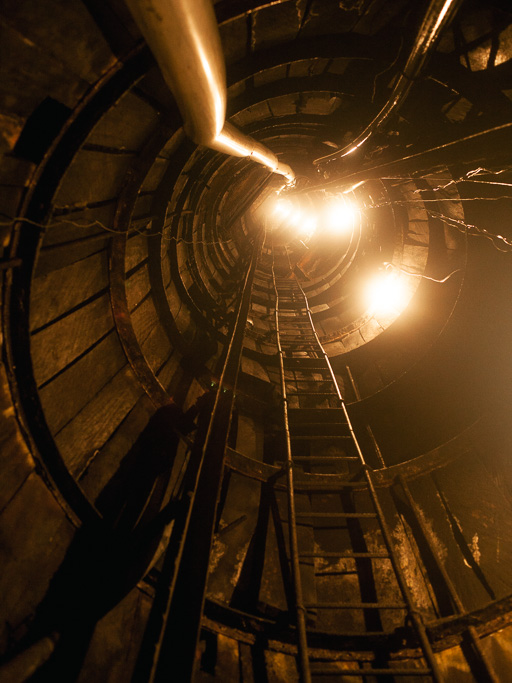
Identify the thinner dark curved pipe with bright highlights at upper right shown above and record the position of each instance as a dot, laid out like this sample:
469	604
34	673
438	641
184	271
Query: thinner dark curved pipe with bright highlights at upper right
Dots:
438	15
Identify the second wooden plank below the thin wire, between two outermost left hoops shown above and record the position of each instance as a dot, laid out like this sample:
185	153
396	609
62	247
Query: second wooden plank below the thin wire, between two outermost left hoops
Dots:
55	347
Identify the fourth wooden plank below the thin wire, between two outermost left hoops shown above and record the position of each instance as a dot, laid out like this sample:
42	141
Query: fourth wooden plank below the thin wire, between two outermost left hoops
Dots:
90	429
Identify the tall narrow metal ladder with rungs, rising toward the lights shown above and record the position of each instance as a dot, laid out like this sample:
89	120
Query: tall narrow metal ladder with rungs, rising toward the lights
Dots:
315	418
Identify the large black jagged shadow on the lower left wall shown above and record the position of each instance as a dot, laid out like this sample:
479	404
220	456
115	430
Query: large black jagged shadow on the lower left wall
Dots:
105	562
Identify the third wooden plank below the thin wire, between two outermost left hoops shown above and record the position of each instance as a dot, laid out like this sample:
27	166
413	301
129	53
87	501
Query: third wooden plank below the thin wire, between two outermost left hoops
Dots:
60	399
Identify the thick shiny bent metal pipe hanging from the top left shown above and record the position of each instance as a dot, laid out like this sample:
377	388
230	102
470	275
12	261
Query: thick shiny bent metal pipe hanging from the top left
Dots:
184	38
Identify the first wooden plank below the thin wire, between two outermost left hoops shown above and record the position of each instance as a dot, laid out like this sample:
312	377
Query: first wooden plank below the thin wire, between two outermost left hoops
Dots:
57	292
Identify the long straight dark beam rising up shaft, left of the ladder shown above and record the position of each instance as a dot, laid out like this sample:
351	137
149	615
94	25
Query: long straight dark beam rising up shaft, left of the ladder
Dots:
176	645
